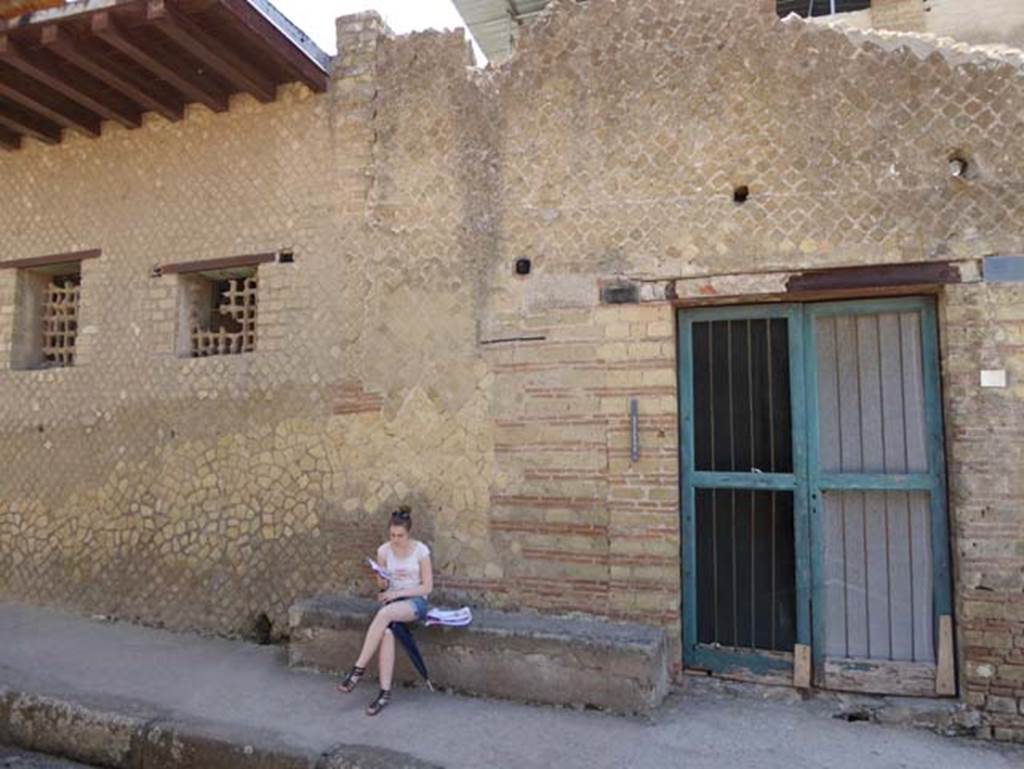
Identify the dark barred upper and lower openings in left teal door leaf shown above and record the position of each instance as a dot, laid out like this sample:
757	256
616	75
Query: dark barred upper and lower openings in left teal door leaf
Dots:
746	561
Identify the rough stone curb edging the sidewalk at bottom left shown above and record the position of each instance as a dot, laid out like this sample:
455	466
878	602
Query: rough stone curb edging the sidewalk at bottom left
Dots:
123	735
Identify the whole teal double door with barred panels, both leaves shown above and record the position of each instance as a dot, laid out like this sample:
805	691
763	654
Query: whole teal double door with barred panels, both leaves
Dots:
814	492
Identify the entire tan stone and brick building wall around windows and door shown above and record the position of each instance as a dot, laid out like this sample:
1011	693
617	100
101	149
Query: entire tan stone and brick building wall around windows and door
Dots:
403	359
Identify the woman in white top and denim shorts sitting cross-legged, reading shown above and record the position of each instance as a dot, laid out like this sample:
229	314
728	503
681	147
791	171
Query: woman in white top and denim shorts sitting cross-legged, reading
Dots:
405	601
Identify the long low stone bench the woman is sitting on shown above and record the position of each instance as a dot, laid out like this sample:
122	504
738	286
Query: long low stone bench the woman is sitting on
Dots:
559	661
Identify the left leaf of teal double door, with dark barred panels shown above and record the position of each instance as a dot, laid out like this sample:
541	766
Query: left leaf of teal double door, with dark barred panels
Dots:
746	554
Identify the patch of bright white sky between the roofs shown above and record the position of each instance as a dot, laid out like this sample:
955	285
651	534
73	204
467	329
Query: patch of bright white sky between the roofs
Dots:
316	18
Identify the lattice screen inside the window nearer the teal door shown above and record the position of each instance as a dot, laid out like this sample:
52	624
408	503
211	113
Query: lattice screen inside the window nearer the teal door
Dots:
231	329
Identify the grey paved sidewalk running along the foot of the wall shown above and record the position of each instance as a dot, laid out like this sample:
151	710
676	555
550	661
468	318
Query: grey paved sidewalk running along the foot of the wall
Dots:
233	683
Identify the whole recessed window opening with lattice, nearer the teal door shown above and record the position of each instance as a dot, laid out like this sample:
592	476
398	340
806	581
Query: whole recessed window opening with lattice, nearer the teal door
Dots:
221	311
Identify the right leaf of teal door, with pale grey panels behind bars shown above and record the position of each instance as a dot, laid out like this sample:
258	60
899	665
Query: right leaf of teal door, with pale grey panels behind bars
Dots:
876	477
